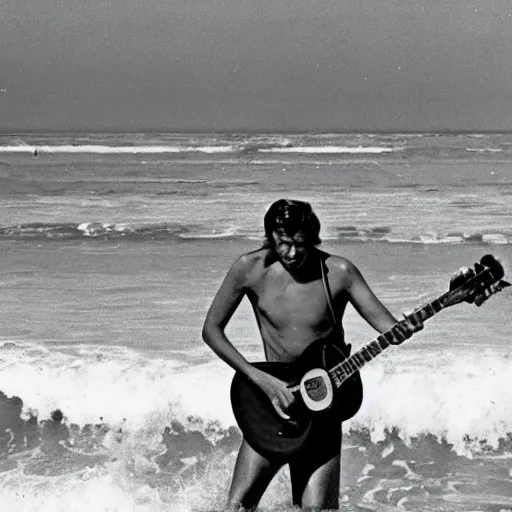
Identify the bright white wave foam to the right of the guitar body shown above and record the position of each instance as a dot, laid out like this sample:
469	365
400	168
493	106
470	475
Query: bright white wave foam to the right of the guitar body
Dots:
451	396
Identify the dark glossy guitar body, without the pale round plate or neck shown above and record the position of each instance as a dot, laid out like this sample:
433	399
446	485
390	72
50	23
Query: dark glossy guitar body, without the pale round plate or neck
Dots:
268	433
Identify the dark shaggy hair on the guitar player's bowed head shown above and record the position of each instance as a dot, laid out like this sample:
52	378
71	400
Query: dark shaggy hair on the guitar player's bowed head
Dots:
291	216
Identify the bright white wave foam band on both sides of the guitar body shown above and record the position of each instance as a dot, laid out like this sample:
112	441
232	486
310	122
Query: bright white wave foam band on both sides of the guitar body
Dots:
453	395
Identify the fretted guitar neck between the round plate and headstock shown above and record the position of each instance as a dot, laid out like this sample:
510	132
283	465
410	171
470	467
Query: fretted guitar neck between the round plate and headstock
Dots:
341	372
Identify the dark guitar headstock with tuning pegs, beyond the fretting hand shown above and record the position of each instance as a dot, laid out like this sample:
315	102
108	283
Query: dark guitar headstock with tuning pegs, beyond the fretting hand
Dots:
476	285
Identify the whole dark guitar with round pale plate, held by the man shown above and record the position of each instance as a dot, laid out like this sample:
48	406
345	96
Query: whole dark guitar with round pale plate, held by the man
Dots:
326	376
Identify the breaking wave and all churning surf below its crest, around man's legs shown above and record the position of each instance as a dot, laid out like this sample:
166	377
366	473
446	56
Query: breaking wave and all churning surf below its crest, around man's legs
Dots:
142	434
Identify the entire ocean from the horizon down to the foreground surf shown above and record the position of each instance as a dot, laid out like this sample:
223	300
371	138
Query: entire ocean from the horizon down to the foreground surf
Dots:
111	248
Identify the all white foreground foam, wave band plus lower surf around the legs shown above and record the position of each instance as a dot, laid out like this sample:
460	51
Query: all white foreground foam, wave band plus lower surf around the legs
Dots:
455	395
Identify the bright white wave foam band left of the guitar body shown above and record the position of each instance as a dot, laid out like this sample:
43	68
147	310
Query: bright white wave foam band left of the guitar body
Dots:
115	383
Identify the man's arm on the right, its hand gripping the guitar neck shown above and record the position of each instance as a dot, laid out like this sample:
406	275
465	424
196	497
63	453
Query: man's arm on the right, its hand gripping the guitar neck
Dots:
372	310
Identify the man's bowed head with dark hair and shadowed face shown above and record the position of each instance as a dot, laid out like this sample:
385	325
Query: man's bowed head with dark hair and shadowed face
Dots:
291	230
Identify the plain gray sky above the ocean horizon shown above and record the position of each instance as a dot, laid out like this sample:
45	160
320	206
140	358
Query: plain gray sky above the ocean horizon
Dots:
255	65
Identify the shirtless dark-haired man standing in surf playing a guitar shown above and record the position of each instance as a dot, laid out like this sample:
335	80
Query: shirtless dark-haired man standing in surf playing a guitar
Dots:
283	282
